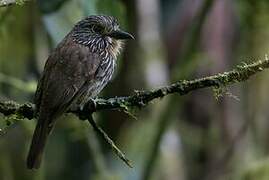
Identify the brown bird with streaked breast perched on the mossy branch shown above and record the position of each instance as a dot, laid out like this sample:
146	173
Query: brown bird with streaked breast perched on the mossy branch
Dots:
76	71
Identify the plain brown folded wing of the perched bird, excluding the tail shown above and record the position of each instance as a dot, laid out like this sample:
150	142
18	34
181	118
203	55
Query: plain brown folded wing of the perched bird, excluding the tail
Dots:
68	72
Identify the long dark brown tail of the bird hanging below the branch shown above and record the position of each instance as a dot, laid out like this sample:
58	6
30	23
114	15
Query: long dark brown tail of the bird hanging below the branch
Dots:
40	136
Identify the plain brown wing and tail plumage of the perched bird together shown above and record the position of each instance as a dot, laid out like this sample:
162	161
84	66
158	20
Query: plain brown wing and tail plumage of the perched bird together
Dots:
68	71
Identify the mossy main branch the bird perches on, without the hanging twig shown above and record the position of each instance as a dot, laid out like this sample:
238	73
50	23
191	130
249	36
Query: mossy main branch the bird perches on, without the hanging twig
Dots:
143	98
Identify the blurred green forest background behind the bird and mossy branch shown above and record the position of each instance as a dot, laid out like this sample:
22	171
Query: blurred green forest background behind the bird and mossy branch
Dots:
194	137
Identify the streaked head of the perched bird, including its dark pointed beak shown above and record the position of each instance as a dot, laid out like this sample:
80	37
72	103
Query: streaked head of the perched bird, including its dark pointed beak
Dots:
100	33
